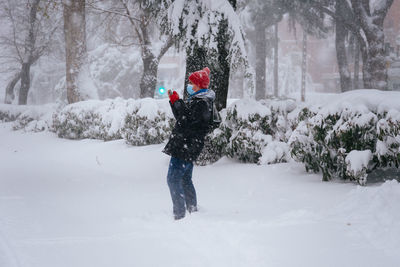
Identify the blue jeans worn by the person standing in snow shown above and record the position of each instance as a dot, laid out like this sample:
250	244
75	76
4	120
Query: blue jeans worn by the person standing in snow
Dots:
181	186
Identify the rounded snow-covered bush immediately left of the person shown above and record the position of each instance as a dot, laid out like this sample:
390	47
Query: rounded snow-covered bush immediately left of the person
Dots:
149	121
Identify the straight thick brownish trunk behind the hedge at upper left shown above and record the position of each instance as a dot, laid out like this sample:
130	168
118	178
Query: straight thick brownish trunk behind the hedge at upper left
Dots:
75	45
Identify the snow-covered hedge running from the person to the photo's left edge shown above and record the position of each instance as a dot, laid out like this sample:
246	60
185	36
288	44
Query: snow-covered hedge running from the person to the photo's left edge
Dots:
139	122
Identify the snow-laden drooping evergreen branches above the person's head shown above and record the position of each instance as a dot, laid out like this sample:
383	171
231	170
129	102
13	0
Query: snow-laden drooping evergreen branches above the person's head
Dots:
198	21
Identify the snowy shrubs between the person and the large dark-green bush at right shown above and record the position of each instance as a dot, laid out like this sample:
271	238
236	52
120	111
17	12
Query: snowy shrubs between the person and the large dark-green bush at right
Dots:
248	126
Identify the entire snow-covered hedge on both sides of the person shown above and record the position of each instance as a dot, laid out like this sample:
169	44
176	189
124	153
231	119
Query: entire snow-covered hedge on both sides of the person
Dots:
348	136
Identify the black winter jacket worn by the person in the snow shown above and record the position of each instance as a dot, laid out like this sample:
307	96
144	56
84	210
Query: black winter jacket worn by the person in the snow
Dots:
192	125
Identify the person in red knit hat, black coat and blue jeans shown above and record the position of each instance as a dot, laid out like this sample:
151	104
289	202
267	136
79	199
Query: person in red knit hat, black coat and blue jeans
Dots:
187	140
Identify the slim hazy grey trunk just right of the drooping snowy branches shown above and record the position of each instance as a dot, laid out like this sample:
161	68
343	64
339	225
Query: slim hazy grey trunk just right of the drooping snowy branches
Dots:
261	52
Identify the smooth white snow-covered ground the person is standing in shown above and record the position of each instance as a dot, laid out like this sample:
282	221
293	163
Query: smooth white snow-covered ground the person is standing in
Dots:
93	203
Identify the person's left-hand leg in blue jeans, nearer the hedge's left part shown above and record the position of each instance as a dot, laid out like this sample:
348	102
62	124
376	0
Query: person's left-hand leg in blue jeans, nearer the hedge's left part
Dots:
174	179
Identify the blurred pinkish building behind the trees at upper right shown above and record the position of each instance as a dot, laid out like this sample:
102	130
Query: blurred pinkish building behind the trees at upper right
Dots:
321	61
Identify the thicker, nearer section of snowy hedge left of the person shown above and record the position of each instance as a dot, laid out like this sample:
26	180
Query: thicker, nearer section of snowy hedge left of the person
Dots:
140	122
